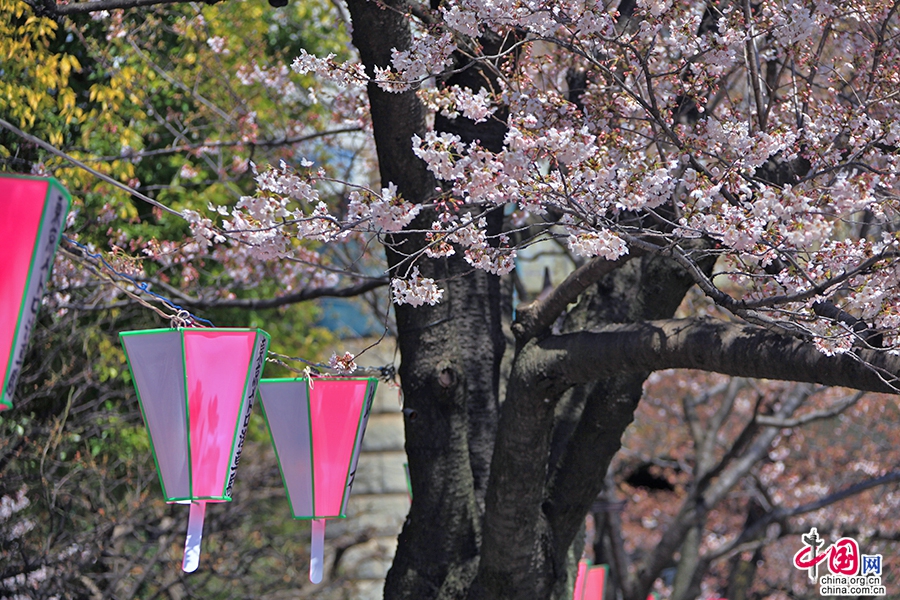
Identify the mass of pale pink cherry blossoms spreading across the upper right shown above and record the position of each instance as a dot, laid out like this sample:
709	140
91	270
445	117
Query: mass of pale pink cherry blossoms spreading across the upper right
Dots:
634	130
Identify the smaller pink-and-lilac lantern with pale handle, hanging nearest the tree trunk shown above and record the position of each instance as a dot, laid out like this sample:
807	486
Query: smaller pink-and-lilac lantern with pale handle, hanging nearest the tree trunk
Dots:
317	428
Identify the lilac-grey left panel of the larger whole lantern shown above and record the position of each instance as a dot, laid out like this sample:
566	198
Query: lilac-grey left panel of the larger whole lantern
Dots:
157	368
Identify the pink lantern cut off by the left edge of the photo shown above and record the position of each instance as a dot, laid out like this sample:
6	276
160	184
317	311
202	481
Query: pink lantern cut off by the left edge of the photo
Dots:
33	214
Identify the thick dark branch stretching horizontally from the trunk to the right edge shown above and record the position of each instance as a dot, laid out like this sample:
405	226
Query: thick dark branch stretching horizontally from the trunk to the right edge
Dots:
561	361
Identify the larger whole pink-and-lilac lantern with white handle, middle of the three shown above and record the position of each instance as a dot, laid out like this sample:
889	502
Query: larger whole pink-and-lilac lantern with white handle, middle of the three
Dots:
196	389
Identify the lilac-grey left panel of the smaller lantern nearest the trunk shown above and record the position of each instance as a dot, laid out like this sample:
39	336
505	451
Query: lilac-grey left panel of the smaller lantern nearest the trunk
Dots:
291	404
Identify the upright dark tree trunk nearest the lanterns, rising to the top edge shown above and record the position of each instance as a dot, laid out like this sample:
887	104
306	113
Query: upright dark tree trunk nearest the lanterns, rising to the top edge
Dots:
450	354
